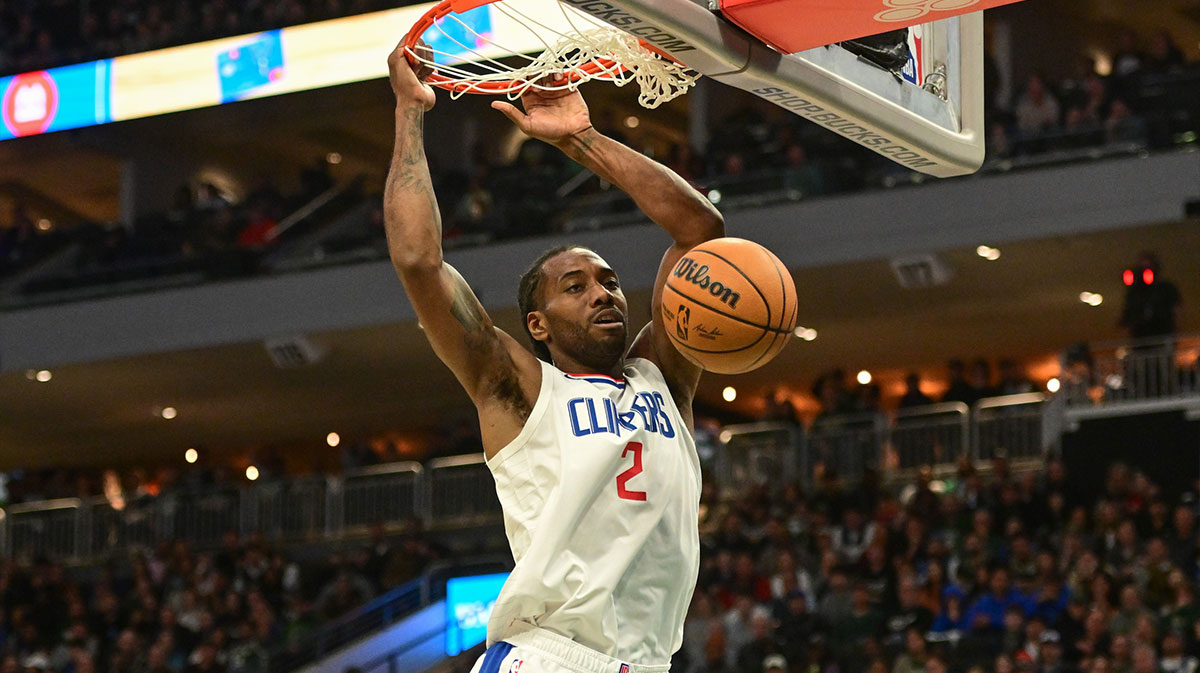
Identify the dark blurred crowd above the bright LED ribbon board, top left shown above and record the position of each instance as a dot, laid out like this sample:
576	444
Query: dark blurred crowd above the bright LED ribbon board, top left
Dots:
57	33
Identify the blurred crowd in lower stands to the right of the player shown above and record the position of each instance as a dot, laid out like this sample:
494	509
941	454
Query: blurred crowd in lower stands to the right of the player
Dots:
995	573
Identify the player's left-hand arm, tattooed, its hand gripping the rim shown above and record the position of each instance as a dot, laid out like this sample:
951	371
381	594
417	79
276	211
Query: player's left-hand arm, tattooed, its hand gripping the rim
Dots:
499	374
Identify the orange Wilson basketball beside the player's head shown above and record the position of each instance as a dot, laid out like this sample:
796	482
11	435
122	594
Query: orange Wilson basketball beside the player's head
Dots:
730	307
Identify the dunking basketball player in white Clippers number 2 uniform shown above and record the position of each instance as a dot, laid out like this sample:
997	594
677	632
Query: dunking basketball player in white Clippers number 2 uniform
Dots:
590	442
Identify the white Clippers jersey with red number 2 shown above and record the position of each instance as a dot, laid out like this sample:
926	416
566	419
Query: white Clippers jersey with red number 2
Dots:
602	496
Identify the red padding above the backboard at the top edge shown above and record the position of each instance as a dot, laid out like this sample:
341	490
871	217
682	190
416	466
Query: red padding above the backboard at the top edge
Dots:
796	26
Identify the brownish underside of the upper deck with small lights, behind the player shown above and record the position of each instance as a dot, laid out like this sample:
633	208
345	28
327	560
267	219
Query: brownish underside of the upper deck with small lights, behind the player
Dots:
1025	305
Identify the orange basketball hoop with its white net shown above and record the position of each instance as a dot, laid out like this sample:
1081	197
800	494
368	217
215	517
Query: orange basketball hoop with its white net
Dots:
577	49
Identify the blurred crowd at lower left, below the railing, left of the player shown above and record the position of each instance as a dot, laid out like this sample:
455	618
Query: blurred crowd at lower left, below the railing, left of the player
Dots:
175	610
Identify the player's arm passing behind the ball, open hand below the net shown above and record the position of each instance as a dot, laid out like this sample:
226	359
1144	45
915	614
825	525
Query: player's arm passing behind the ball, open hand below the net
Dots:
562	121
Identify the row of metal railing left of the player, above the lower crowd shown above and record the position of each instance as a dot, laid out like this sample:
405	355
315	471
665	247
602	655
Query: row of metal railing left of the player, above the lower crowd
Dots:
299	509
